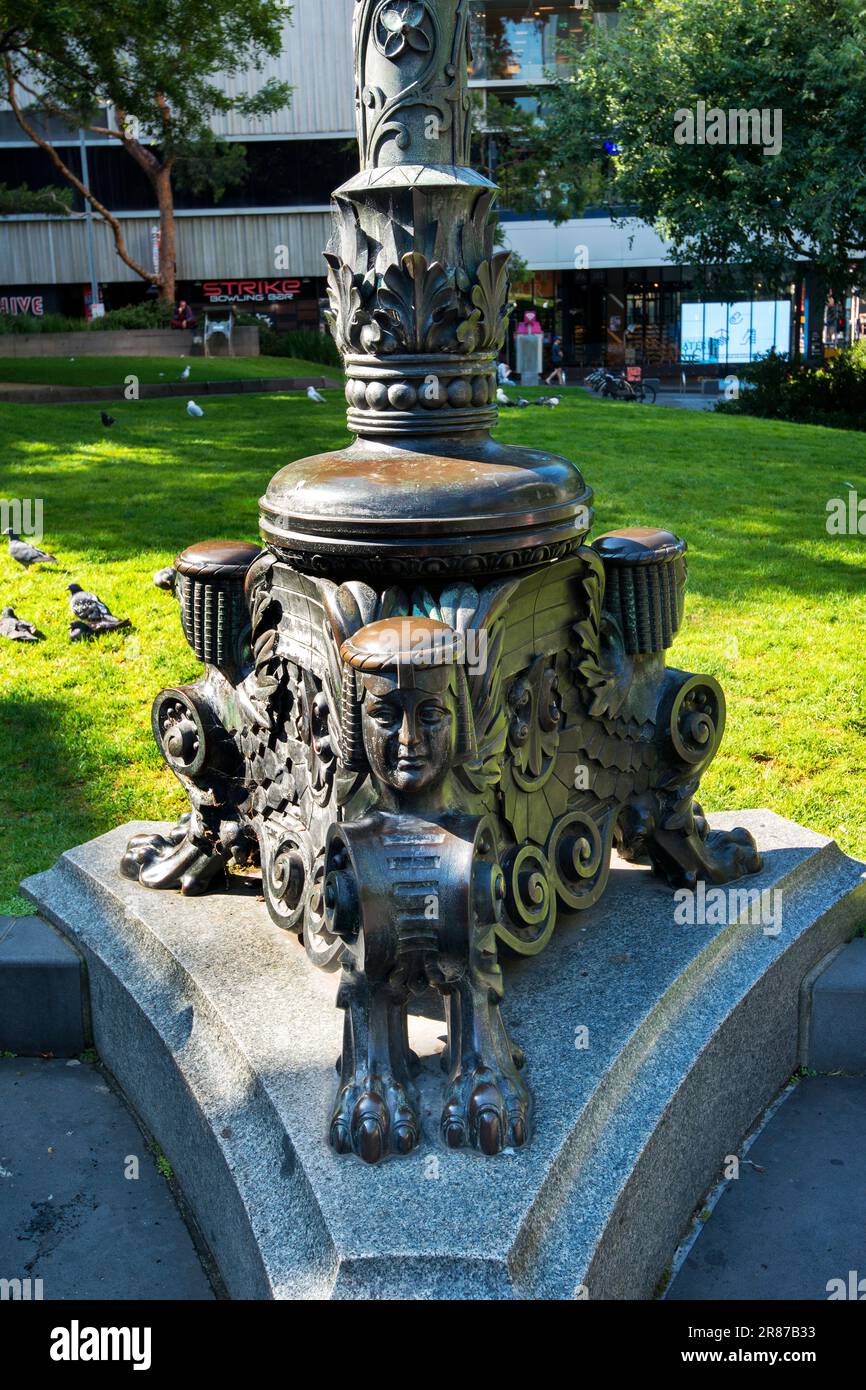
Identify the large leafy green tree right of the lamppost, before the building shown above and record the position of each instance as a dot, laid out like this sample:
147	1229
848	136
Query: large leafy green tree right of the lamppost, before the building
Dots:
629	94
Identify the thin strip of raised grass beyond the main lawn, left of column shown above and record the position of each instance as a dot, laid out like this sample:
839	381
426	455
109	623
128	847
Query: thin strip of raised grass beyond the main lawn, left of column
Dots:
112	372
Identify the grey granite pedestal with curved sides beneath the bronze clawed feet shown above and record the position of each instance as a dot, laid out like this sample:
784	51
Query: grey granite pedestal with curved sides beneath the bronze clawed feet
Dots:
651	1049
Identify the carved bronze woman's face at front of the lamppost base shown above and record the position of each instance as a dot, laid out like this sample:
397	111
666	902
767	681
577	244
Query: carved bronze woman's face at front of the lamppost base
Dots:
409	735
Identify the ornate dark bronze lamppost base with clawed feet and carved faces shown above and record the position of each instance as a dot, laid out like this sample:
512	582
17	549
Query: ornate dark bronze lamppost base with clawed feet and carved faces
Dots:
430	710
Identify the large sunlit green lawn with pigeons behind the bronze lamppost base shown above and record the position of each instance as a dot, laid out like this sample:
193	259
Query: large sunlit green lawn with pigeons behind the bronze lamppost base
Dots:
776	608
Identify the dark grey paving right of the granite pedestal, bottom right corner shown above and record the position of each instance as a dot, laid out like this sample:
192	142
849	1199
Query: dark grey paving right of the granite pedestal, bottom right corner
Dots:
796	1218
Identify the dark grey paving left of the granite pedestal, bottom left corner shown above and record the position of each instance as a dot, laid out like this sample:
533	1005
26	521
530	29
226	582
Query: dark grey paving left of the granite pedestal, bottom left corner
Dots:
70	1216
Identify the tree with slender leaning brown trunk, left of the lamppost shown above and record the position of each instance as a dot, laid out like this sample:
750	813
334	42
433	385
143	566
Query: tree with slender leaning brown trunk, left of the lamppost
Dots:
147	74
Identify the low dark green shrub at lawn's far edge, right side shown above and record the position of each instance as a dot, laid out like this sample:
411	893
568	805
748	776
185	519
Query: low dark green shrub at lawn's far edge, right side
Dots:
781	390
